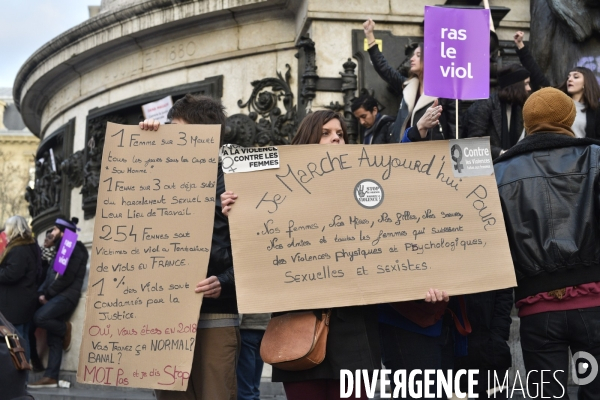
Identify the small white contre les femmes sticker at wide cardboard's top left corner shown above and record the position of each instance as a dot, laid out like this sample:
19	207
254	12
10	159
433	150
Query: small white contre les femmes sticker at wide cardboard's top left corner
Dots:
235	158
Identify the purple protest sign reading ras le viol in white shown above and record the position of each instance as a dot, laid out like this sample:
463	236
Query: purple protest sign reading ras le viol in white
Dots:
457	53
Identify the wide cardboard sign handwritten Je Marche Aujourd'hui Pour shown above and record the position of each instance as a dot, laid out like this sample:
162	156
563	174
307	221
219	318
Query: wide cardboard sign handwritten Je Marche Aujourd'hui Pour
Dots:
349	225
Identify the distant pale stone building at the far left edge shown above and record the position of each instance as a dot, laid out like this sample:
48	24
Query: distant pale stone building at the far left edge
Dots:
17	154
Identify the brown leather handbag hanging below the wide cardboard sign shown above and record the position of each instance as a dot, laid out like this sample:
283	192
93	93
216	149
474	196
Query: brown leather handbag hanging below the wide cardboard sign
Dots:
296	341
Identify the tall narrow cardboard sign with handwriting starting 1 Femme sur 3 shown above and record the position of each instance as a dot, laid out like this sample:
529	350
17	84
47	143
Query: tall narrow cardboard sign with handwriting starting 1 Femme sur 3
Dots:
152	239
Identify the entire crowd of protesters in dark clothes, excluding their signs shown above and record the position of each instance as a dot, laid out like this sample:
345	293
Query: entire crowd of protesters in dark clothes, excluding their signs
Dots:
546	156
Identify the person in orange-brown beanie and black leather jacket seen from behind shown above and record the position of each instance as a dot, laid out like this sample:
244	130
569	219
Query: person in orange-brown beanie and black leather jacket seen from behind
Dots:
549	186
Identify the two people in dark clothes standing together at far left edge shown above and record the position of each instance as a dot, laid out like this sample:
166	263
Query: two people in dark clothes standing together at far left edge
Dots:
34	295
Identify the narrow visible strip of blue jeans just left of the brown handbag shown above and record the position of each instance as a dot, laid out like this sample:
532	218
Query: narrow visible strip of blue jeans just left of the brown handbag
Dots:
250	365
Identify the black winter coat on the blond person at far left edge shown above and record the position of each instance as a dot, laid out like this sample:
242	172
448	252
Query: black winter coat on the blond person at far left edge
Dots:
18	288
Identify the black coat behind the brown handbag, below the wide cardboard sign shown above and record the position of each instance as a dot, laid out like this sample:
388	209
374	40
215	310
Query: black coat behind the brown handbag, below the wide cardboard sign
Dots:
352	343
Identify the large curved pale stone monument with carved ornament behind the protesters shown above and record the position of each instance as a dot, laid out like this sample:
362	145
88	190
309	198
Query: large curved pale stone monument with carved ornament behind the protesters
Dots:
267	60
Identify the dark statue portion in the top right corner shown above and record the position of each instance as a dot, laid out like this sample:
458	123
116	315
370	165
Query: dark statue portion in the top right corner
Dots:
565	34
